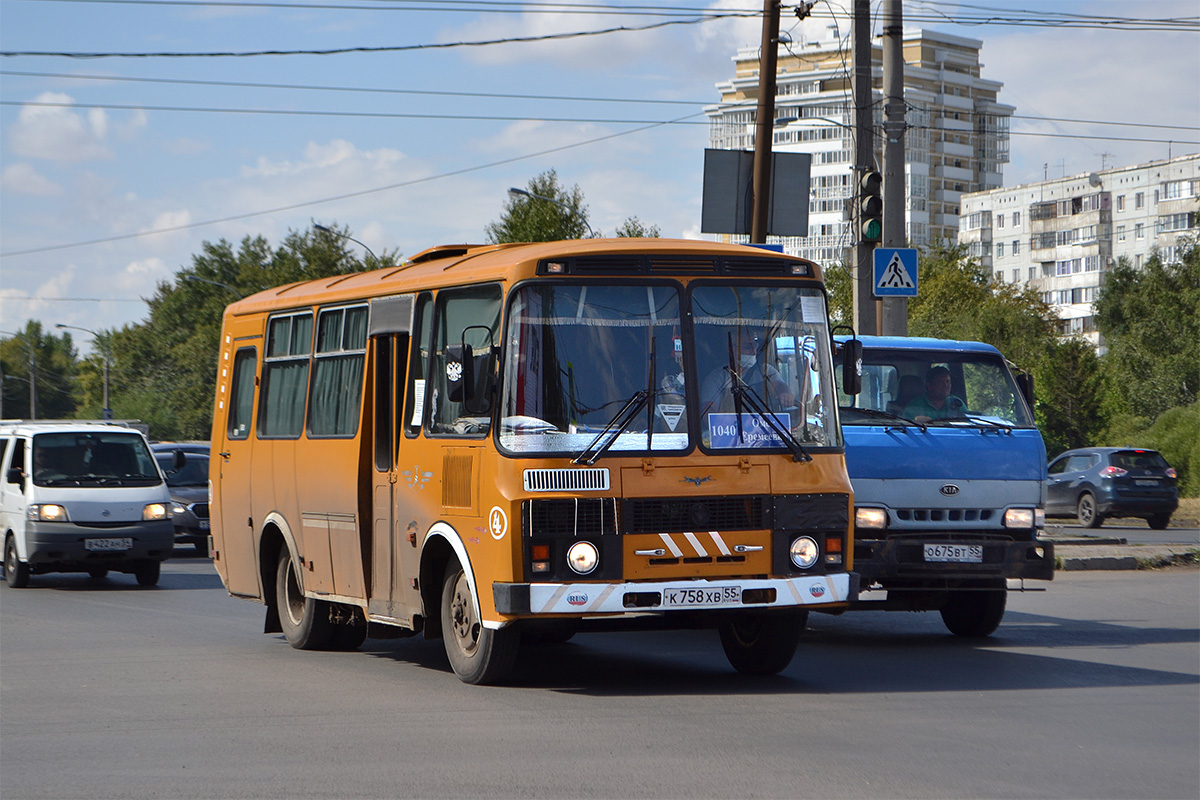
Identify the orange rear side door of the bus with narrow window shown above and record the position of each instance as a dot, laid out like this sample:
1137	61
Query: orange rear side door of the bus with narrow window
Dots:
231	471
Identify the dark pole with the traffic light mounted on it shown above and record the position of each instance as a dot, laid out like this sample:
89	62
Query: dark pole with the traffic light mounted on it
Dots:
866	315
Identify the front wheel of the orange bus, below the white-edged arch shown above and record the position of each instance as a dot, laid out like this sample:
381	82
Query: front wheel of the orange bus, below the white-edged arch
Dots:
478	655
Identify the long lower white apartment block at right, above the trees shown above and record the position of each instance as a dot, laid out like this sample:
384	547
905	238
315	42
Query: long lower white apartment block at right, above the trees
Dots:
1063	237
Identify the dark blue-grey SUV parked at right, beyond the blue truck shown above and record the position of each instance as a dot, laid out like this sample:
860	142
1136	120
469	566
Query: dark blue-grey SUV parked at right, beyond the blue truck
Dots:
1093	484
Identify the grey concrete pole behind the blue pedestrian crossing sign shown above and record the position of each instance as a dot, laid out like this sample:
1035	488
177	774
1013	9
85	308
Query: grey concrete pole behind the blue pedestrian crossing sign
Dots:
896	310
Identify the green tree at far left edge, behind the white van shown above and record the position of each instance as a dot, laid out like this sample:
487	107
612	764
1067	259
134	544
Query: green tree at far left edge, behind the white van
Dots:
45	360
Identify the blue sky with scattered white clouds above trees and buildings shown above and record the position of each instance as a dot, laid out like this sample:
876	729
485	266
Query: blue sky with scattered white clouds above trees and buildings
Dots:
410	130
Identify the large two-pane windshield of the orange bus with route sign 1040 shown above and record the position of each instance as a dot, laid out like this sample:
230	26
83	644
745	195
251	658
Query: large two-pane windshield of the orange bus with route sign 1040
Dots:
599	369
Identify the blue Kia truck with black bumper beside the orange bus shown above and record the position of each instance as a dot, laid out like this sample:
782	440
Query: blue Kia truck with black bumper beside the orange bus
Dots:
949	471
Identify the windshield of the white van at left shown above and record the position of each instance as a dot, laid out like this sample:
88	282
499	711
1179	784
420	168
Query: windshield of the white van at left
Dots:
93	459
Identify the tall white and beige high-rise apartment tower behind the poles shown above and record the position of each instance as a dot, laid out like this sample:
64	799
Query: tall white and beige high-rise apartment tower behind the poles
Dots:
957	137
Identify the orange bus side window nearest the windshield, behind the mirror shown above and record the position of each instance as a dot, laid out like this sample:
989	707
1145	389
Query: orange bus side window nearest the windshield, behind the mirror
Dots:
470	317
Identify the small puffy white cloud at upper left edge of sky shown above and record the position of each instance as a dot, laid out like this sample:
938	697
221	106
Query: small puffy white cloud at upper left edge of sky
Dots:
59	134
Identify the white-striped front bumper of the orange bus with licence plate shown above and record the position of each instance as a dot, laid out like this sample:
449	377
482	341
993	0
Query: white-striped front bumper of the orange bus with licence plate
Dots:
586	599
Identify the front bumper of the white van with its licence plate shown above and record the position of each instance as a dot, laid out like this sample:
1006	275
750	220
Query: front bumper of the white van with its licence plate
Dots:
64	544
